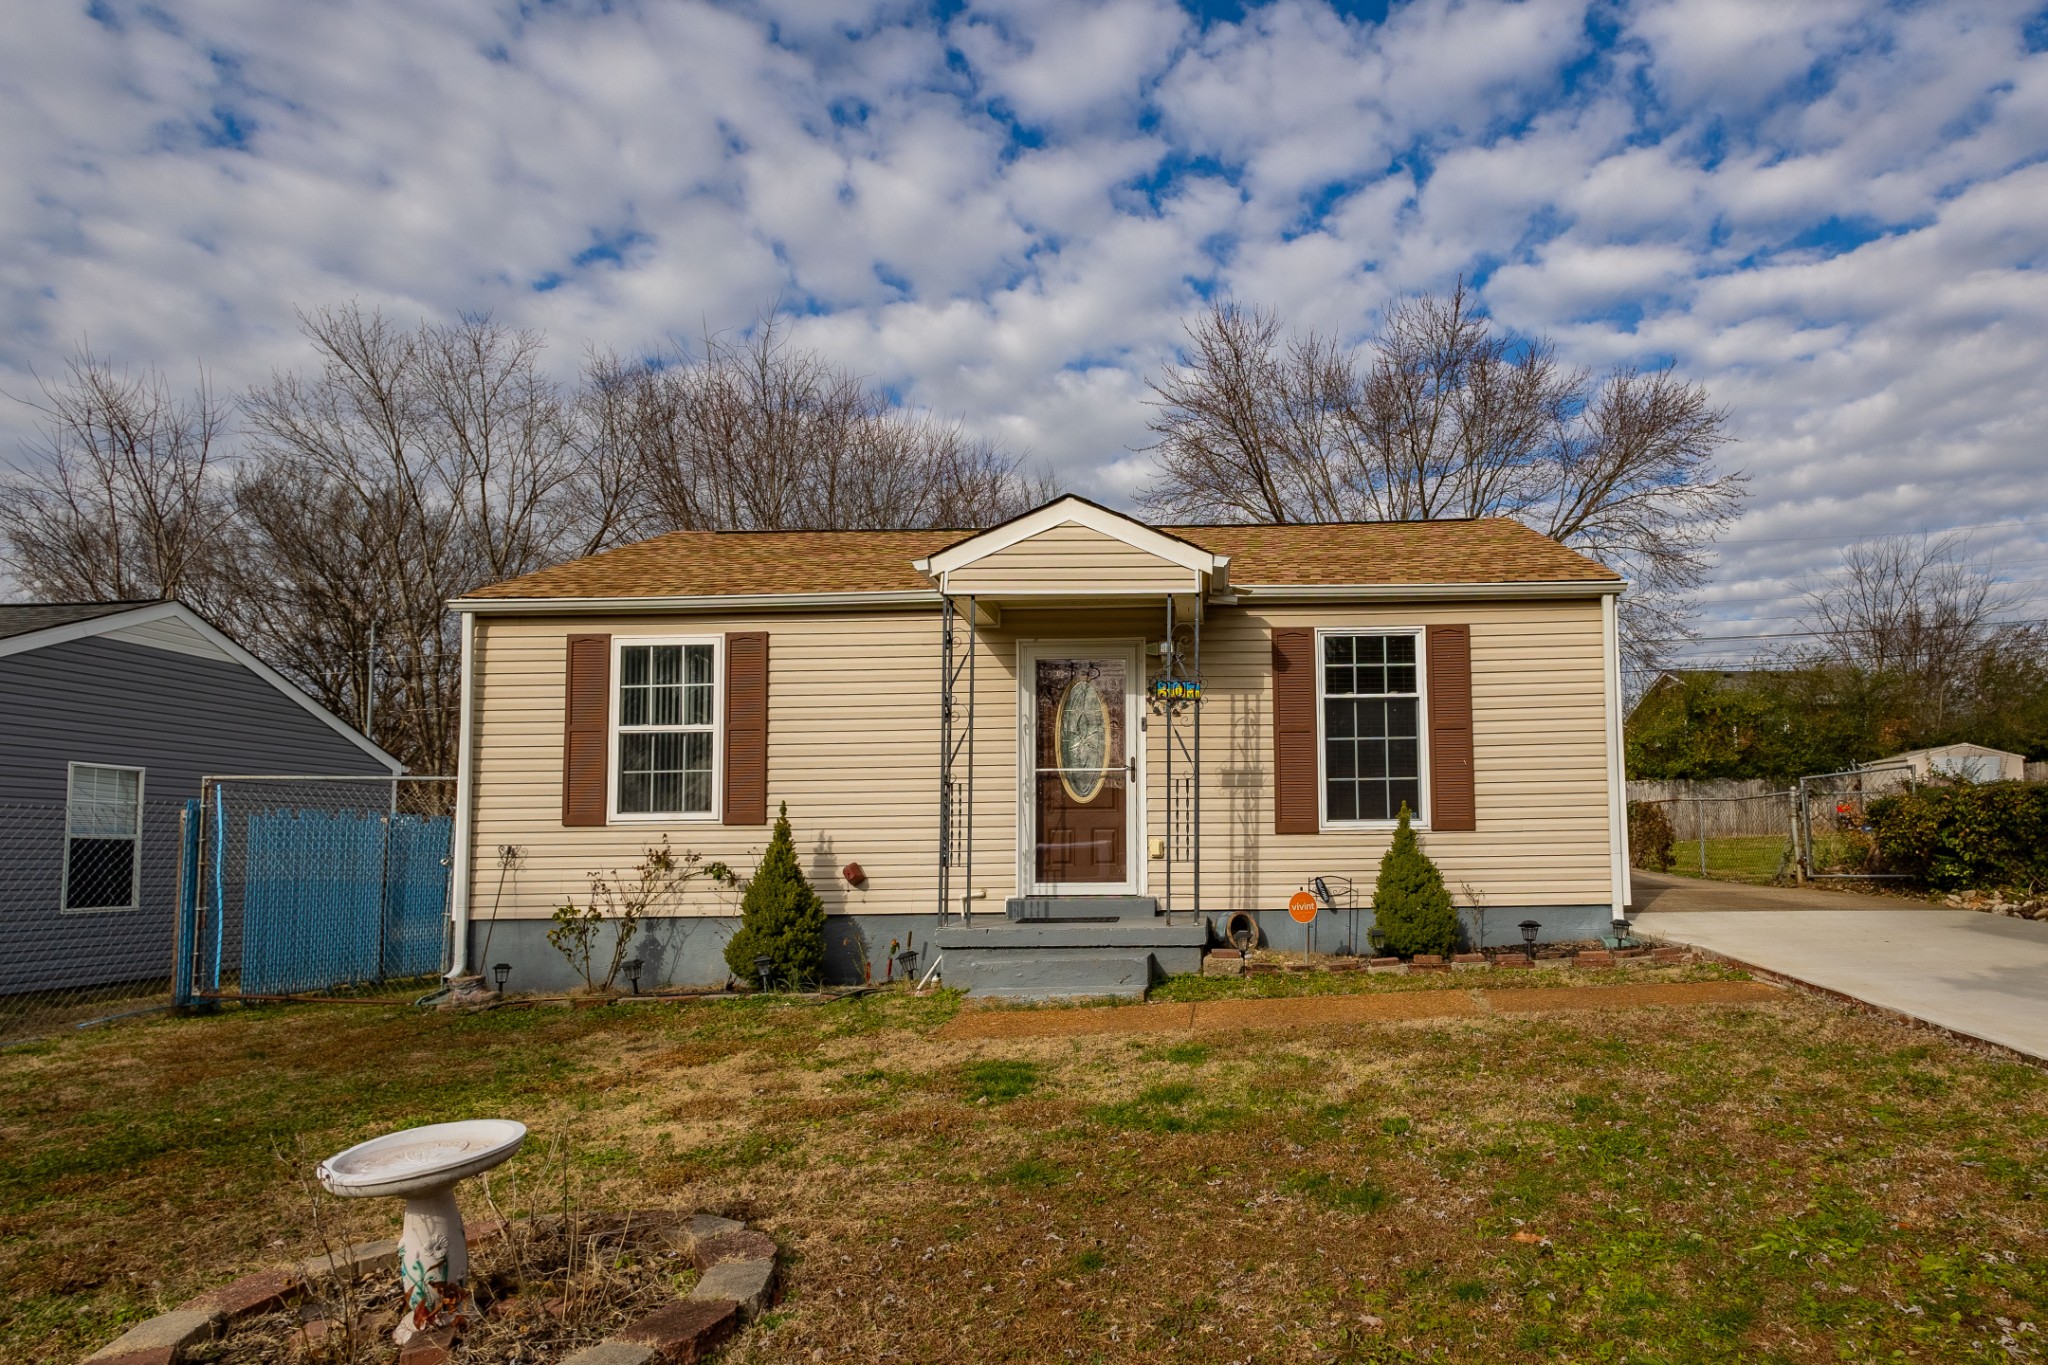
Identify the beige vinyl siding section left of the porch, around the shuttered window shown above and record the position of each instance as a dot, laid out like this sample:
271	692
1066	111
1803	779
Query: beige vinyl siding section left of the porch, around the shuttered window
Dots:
853	748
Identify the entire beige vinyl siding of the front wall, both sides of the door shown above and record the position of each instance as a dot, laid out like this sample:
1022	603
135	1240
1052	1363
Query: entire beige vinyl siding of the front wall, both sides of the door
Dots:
853	746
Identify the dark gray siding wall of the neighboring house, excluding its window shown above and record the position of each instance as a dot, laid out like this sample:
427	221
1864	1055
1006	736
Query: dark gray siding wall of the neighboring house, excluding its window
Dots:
177	717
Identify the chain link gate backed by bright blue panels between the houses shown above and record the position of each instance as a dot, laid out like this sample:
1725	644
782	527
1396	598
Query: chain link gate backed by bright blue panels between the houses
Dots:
312	885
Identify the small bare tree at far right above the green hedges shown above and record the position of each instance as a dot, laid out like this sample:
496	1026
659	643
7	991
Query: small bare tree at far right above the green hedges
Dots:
1916	609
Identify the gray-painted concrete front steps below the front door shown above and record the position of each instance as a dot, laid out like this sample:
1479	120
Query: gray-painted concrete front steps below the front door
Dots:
1068	959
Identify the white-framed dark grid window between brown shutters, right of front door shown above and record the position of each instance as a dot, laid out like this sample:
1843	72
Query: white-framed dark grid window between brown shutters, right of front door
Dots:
1371	728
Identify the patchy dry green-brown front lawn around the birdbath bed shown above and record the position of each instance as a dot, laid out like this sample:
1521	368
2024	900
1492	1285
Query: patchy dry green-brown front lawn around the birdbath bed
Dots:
1754	1182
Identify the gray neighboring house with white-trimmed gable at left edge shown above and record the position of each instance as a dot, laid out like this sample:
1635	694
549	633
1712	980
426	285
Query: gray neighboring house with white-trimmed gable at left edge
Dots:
110	717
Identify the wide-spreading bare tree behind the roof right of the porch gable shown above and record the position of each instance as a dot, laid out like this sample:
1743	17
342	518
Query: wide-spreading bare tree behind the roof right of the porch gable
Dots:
1441	416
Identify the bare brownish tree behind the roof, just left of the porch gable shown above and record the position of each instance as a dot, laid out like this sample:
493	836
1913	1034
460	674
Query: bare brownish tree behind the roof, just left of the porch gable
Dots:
759	435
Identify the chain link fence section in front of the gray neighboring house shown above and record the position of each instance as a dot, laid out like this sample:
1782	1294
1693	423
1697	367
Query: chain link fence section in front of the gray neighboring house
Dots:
89	901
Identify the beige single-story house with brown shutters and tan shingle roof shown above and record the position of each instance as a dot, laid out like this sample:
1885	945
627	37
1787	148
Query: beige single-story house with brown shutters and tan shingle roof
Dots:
1060	754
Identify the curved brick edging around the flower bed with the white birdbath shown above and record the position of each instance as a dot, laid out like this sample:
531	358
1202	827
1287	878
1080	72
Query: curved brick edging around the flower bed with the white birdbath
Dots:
736	1282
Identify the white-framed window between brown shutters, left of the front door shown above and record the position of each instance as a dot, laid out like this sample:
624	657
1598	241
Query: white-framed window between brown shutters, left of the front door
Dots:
665	736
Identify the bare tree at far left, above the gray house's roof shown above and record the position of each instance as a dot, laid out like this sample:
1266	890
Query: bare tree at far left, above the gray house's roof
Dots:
124	496
